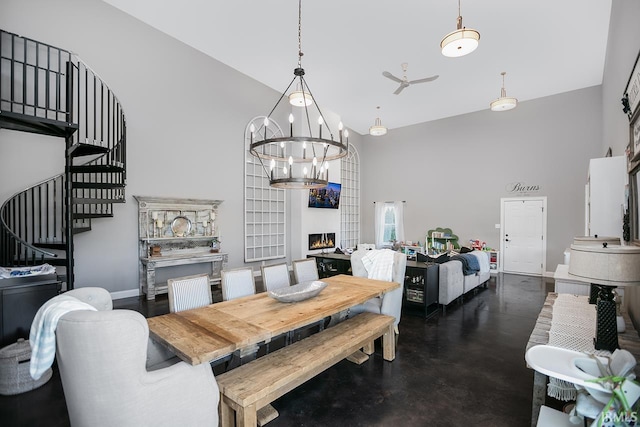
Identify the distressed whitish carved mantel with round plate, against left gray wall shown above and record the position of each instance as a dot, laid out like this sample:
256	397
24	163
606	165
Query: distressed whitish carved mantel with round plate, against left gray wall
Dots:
174	232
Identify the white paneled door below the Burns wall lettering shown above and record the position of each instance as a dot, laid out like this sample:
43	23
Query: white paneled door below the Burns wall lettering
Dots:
524	240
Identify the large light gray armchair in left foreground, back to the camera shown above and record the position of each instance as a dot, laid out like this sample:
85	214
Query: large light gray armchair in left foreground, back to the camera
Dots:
102	359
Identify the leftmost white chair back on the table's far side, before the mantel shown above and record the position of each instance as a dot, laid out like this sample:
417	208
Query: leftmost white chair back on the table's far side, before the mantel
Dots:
189	292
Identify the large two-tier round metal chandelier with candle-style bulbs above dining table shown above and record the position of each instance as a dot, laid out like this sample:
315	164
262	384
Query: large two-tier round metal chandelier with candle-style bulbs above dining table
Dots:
299	160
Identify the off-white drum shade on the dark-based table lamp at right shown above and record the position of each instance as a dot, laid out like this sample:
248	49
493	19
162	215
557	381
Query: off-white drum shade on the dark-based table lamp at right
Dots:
612	265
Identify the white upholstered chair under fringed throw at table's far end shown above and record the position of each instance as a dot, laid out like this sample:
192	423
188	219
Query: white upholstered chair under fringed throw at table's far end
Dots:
391	302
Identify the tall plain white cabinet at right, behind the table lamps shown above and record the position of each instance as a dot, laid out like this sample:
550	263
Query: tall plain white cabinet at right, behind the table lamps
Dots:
605	196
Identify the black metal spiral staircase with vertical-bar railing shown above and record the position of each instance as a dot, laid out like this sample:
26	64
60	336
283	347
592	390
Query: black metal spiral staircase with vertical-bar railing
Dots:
50	91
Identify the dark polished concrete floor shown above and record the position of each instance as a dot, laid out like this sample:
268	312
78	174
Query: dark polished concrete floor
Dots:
464	368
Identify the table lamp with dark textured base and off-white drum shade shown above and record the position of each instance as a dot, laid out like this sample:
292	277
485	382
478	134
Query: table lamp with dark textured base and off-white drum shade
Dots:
606	267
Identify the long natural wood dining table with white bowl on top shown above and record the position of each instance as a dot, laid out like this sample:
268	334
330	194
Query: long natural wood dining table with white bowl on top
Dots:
209	333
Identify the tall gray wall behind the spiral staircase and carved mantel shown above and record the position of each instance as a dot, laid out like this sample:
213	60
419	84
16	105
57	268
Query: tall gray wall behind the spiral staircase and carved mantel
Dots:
186	115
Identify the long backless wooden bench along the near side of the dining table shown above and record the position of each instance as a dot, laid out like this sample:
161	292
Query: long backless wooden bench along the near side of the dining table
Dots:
250	387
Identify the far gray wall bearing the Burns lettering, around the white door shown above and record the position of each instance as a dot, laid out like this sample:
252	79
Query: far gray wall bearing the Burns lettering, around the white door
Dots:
453	172
